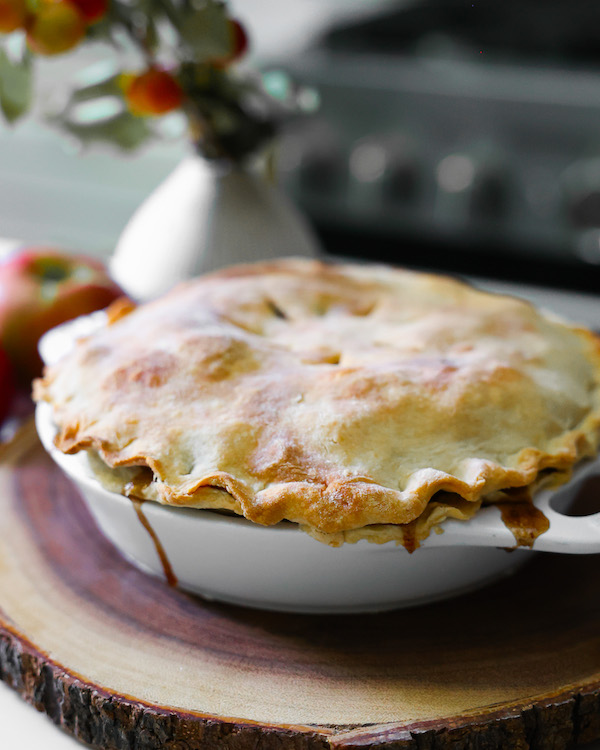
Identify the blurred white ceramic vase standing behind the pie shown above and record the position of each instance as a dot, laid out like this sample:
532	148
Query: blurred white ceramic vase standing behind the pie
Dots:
206	216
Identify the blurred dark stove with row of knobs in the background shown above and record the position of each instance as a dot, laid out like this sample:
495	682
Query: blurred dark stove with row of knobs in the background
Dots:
457	134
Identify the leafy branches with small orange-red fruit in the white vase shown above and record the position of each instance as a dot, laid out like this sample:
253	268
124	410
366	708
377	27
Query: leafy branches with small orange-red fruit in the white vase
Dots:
185	53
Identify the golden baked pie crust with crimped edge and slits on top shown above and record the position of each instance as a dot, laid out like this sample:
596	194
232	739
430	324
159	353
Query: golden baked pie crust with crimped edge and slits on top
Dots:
356	401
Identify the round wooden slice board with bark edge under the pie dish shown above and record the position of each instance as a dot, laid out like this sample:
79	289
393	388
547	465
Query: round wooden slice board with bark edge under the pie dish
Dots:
121	660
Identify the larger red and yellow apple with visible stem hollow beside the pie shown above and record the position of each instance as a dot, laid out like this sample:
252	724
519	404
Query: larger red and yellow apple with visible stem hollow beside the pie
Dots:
40	288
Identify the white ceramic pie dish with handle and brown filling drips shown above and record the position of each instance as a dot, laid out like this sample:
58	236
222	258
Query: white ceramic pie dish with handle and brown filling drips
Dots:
282	568
